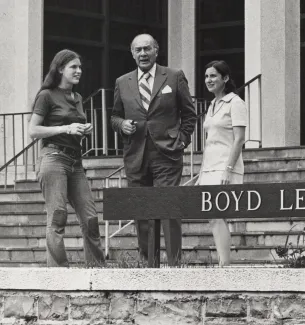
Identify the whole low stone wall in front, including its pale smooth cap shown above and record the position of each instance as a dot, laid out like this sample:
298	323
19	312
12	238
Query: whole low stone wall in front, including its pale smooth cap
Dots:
181	296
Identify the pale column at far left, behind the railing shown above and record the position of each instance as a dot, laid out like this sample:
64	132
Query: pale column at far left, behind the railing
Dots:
21	30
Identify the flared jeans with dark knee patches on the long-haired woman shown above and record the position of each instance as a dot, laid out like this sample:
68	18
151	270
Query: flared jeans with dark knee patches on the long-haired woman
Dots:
62	179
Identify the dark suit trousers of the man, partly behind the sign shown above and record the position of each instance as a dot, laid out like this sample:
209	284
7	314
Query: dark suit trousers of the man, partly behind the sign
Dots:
158	170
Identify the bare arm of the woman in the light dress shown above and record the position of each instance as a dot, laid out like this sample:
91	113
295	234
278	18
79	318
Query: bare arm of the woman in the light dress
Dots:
239	140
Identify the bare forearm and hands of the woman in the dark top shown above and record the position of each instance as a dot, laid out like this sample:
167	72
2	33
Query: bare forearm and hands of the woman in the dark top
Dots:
37	130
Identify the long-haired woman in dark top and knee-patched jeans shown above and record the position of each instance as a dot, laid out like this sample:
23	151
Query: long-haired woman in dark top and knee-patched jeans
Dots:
58	119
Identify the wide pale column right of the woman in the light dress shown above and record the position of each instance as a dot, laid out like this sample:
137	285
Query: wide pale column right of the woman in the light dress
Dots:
272	48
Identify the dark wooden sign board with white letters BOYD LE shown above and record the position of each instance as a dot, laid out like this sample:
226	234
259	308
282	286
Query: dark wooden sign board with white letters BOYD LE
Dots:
205	202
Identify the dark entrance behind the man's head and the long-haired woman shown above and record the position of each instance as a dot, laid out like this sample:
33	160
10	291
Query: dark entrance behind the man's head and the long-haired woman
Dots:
101	32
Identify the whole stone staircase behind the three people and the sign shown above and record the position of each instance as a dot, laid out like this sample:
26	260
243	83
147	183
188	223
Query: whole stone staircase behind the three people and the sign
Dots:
23	220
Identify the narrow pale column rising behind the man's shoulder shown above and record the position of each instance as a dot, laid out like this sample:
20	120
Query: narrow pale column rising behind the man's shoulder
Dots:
181	38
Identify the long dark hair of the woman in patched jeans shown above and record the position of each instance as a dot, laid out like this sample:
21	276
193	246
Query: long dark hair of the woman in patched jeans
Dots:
53	77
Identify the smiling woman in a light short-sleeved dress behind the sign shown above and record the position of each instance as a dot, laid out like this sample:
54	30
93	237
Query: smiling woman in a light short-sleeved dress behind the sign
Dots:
222	162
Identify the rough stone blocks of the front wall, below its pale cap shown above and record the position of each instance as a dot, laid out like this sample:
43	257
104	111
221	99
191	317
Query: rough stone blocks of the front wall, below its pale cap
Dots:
151	308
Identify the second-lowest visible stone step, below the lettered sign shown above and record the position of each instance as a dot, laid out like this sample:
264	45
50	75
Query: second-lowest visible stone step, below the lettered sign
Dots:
128	241
